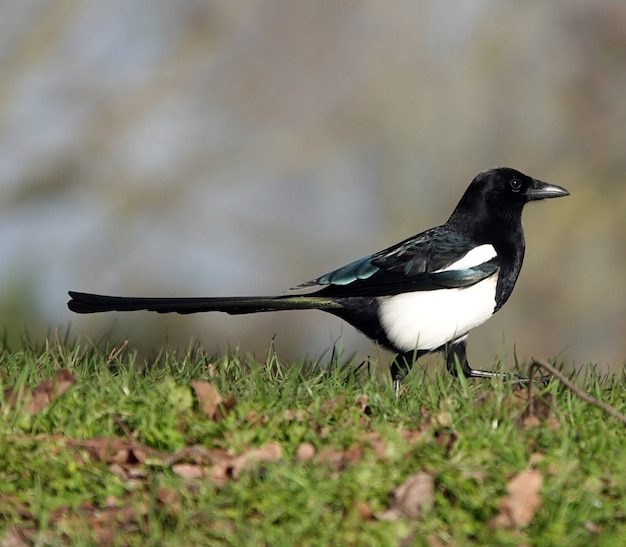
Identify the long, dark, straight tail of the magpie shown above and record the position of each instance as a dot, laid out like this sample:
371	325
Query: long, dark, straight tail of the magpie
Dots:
95	303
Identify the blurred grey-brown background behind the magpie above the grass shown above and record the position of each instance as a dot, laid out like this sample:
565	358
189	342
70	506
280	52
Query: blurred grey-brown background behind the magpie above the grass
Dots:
163	147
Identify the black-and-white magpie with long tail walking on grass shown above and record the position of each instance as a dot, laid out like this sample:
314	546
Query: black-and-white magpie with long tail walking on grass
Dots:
422	295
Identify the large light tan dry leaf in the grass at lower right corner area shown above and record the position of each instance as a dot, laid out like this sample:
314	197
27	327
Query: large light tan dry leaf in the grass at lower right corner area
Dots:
519	507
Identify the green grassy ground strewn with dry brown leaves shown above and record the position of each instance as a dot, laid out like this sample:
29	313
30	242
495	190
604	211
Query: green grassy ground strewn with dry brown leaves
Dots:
194	450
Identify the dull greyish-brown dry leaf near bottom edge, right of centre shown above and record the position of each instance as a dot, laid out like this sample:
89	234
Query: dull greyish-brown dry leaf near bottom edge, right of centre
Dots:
414	496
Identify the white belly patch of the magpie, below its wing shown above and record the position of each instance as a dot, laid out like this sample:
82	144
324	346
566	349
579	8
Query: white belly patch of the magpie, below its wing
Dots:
429	319
